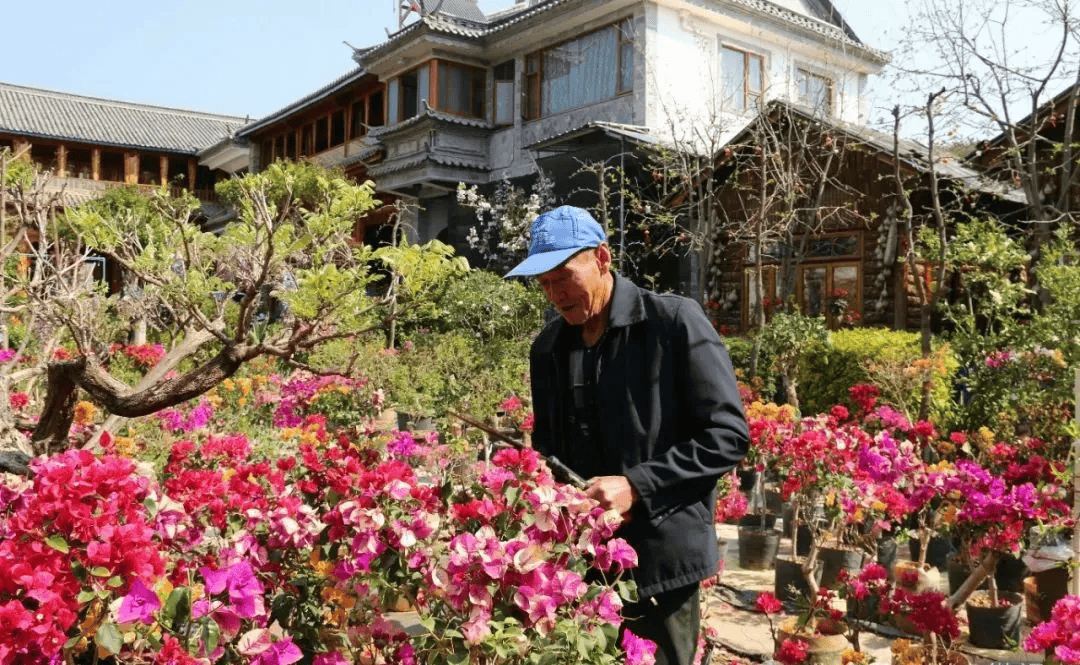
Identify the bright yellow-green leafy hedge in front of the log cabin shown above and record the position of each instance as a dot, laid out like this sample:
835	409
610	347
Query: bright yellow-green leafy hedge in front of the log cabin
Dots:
887	359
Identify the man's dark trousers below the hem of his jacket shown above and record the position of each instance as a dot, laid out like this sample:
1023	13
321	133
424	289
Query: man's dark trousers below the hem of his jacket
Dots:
672	620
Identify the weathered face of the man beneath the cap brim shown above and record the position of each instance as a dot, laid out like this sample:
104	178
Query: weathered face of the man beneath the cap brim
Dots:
577	289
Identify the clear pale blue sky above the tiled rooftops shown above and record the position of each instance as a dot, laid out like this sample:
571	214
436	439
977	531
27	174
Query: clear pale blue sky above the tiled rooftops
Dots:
227	57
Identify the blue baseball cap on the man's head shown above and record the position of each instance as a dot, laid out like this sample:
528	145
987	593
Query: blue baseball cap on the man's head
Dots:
557	236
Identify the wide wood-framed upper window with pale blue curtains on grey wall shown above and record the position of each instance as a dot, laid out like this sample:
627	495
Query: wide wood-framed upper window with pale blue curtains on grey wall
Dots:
590	69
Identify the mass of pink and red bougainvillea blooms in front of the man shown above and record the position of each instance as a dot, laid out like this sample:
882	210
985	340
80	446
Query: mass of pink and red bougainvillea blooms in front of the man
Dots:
307	548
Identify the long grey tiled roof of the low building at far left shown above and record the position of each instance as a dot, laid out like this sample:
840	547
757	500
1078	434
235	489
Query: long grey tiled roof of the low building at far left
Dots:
45	114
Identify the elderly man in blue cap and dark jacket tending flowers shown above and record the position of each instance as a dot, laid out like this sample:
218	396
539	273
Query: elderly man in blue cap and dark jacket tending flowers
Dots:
636	391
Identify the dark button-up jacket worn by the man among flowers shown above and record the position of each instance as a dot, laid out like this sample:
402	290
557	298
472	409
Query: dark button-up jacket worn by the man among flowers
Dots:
672	423
